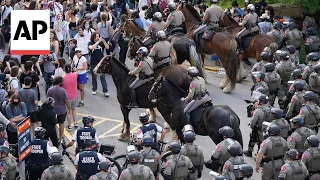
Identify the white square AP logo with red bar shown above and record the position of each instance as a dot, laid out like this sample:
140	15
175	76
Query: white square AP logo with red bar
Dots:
30	32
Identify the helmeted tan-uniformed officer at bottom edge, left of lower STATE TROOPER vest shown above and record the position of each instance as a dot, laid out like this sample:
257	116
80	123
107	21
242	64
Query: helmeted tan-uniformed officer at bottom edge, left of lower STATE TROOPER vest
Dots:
57	171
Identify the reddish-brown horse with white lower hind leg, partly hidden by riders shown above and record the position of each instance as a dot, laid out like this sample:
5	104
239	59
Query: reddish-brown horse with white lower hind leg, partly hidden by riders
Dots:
223	44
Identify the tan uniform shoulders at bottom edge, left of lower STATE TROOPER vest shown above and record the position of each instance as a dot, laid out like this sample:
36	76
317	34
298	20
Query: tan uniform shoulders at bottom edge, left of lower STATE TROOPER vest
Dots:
57	172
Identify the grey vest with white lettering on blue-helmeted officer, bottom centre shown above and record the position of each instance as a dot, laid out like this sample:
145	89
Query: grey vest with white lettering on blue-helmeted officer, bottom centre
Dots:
149	159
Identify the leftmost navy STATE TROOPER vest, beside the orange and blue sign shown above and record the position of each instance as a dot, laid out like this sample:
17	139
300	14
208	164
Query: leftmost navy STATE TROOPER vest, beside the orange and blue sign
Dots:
39	154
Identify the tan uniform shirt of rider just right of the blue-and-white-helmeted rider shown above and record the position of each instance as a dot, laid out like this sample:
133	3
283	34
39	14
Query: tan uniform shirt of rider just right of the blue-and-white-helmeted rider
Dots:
160	53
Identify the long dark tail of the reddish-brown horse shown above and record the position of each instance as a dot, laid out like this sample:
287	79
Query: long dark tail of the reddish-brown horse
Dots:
232	64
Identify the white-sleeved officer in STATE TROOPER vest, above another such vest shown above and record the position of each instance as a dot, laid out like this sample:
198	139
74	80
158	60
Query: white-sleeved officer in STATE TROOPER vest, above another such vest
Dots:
86	132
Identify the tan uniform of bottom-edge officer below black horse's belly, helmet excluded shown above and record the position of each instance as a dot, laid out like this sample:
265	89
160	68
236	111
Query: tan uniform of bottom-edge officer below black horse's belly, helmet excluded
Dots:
178	167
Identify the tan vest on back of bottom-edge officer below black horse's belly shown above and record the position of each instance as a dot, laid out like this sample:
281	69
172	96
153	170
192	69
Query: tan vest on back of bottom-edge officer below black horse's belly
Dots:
180	168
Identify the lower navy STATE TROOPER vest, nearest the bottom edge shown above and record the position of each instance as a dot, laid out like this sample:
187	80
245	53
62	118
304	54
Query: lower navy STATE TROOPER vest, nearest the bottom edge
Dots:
88	163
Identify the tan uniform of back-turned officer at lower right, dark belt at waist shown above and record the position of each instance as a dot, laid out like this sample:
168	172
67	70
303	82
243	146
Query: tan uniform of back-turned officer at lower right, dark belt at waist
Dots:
273	149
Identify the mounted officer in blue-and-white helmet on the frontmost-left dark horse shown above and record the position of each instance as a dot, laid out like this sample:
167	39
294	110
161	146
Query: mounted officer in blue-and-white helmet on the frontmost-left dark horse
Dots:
144	72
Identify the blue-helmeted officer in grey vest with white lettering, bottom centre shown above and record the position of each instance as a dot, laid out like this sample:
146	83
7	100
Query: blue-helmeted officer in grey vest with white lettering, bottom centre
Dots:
149	156
